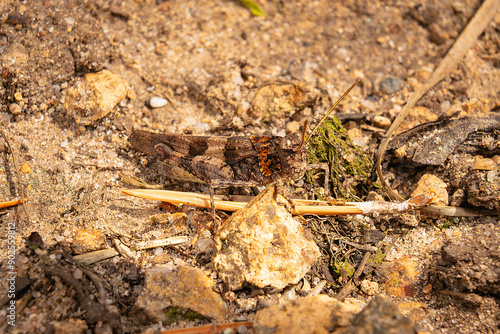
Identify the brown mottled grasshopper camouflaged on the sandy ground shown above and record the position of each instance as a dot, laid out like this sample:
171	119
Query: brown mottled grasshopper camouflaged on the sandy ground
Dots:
236	161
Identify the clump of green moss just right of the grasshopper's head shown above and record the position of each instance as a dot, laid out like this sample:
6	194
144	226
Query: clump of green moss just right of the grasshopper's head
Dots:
350	167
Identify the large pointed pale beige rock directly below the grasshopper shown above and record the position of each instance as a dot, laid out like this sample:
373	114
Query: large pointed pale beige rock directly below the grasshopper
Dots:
263	245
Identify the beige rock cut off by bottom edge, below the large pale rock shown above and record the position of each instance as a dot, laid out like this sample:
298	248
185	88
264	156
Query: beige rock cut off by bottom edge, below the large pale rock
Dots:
318	314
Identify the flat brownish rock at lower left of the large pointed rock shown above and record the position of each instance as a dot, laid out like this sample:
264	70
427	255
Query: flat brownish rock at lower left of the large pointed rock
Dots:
180	286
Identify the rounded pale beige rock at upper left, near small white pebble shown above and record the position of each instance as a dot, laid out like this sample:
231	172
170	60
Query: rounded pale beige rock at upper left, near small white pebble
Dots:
94	97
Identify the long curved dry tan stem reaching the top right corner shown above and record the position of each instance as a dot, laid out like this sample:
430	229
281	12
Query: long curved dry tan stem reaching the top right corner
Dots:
466	39
